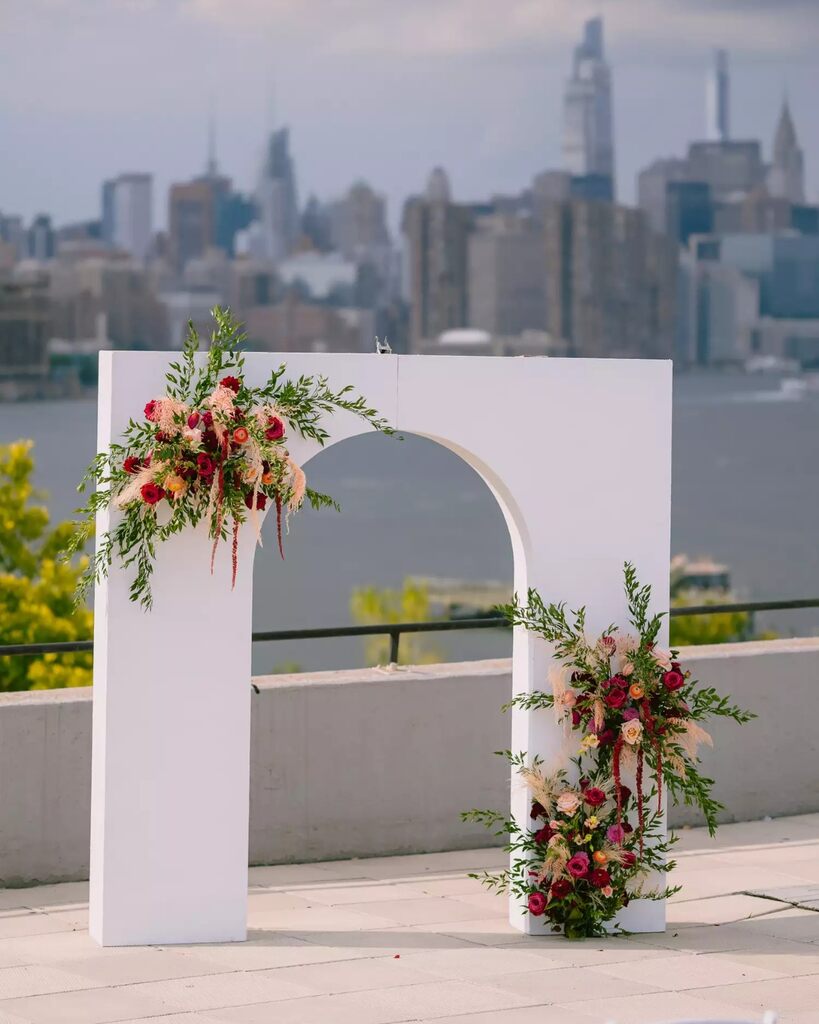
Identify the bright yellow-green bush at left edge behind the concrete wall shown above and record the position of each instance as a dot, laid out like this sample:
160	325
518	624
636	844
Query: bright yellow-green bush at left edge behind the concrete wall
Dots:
36	588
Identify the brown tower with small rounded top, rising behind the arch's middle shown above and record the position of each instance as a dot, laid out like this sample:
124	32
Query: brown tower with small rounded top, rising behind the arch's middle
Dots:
437	232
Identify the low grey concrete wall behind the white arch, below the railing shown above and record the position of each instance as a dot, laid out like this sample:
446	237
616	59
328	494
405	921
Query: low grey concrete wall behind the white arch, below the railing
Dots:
373	762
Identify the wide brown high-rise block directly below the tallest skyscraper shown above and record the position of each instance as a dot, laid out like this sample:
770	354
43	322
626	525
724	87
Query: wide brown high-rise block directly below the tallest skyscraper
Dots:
612	282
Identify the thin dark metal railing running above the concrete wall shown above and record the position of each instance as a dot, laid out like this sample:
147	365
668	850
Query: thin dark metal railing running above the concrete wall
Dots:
396	630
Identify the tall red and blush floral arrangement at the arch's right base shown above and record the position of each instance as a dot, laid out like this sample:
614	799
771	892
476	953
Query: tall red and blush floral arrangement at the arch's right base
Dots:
638	713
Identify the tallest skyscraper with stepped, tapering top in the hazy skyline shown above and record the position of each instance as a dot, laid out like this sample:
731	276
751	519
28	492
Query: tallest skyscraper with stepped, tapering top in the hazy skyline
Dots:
588	134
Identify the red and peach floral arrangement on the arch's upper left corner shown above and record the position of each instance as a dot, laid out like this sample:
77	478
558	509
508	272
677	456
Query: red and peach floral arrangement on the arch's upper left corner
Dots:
211	449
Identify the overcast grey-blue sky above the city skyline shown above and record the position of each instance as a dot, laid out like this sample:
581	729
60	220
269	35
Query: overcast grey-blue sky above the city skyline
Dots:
380	90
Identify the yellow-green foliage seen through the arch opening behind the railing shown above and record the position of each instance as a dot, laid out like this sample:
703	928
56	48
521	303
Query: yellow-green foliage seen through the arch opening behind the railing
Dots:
371	606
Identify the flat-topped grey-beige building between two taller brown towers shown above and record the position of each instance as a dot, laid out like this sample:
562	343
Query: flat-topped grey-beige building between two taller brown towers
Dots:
507	276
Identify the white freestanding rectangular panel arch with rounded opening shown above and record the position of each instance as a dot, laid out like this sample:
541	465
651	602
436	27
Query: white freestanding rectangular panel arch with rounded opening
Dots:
578	453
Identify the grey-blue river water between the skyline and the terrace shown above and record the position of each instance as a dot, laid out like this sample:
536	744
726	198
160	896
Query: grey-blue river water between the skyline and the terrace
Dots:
746	493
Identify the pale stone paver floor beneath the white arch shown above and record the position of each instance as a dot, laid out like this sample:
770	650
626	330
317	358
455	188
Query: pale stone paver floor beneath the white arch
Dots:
413	940
